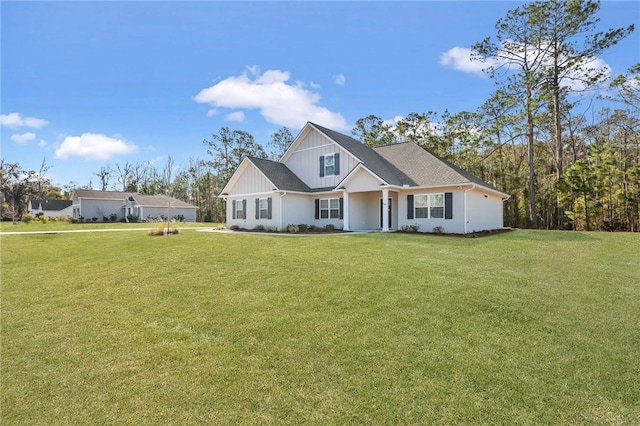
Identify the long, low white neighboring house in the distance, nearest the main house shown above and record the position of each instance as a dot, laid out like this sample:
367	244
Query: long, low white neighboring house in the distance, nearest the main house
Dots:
91	204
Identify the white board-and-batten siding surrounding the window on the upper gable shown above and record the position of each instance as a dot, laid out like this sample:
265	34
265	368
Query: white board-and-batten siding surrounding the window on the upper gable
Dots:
305	160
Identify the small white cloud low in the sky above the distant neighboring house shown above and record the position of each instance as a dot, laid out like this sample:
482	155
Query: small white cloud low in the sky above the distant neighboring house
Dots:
93	146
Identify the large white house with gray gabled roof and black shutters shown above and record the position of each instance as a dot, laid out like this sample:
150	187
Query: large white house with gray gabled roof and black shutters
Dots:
326	177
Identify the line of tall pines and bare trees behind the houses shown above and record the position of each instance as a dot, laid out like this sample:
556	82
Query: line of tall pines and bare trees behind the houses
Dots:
565	164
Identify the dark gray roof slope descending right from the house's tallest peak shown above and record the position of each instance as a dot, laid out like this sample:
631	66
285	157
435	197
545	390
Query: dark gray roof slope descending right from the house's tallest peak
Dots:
370	158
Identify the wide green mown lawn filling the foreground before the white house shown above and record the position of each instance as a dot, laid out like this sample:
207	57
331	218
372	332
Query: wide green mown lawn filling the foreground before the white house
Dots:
527	327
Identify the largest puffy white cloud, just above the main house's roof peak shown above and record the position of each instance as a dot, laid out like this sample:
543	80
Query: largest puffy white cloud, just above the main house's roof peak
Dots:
279	103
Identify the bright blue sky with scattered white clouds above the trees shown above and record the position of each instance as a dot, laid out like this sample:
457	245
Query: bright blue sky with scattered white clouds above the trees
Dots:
91	84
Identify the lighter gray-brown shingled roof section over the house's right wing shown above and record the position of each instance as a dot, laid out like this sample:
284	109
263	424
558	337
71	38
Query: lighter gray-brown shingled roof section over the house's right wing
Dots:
425	168
